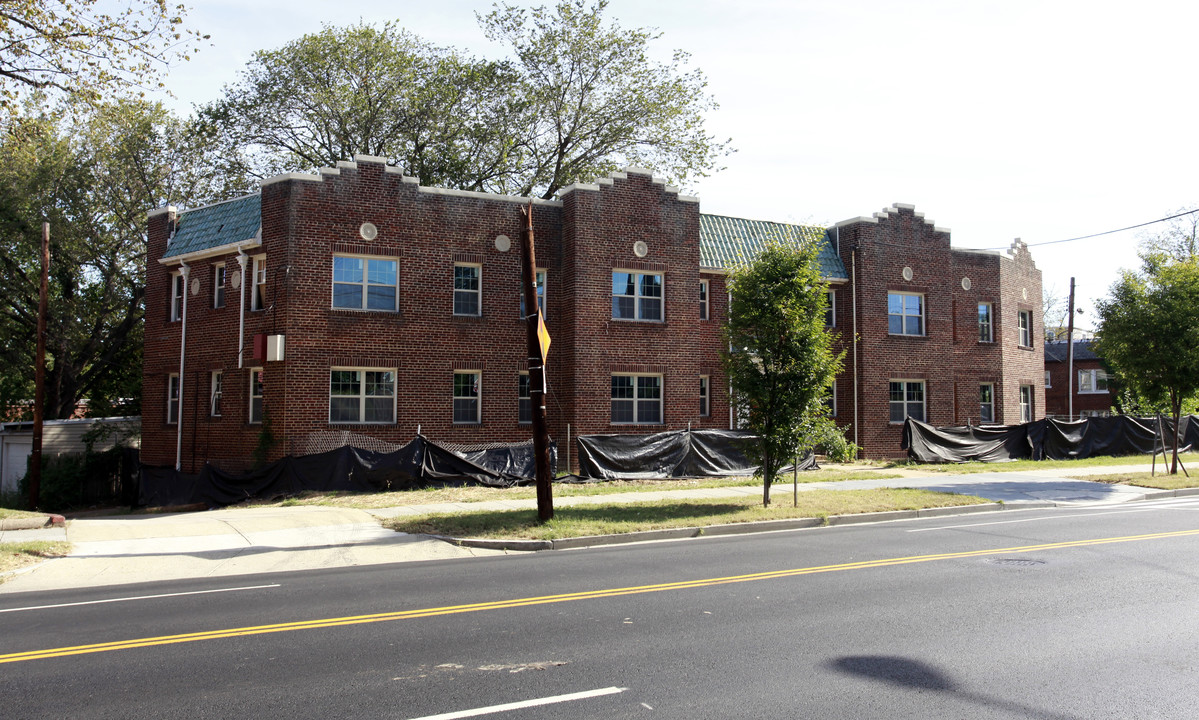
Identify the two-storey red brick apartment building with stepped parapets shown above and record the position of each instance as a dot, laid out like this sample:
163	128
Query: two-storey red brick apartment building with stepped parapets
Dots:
357	307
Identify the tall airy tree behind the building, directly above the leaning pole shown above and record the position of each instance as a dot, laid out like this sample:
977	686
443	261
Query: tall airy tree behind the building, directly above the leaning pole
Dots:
597	102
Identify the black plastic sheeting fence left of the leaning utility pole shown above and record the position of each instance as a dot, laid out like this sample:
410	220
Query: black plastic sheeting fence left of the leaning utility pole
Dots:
419	464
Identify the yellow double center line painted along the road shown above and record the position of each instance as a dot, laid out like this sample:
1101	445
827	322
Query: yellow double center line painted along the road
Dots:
383	618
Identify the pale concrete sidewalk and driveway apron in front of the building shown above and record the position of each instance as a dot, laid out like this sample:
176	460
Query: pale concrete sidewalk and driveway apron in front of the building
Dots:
126	549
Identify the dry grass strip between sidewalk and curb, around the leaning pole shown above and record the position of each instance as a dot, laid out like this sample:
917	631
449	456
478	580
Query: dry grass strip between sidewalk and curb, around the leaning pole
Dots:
582	521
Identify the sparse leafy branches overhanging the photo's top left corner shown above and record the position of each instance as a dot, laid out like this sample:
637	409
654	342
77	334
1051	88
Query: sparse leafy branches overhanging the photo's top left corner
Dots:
86	50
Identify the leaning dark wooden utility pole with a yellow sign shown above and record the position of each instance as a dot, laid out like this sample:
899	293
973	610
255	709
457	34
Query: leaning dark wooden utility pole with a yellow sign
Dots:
535	329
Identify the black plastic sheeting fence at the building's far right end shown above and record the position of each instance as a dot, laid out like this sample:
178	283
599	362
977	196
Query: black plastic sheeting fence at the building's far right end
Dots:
1047	440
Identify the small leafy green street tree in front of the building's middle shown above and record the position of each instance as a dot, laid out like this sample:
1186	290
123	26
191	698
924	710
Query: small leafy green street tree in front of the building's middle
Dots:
781	365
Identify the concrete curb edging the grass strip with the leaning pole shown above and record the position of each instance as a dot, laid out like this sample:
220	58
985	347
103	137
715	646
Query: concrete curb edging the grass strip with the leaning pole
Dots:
737	529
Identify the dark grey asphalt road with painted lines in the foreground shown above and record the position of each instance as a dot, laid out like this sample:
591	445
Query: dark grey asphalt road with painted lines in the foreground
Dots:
1084	613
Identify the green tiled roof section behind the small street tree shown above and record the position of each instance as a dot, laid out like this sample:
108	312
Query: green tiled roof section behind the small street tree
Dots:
725	243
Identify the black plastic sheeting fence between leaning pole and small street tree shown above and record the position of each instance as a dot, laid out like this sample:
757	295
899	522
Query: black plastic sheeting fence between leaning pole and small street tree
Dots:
672	455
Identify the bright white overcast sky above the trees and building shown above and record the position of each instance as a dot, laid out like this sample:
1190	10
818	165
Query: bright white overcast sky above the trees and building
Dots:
1043	120
